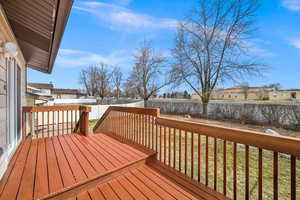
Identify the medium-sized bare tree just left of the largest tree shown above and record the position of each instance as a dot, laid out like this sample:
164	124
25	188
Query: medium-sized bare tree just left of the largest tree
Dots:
148	74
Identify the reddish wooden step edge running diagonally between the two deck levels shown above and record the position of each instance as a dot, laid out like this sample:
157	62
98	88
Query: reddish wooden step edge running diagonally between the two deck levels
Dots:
92	182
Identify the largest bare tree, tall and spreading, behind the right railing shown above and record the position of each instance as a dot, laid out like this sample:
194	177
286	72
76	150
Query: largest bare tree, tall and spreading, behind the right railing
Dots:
211	45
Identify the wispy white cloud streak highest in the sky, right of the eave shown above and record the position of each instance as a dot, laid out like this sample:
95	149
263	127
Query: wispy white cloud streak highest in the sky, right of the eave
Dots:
119	17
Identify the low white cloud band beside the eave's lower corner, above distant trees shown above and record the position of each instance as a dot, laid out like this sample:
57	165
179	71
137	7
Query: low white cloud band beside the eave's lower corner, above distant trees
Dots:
78	58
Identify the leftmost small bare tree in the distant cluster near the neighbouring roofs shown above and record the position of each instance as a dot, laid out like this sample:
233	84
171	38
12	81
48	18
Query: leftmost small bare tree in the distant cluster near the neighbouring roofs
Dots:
88	78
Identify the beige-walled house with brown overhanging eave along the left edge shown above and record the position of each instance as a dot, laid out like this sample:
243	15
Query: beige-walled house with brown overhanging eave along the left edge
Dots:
30	35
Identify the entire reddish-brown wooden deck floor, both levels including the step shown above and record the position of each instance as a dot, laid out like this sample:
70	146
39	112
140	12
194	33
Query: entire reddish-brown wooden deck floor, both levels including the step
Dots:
94	167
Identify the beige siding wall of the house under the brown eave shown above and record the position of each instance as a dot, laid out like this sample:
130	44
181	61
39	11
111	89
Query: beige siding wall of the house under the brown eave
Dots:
7	35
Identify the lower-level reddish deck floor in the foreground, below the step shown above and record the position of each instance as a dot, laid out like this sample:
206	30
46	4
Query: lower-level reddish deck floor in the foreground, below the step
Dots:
134	185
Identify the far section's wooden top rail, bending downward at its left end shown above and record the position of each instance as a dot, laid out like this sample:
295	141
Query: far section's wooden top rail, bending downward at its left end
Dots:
135	110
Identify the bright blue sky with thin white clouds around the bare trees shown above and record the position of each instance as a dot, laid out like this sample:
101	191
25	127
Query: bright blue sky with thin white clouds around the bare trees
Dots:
110	31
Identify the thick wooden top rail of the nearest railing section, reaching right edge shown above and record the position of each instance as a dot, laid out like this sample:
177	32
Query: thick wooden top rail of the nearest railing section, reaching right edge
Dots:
282	144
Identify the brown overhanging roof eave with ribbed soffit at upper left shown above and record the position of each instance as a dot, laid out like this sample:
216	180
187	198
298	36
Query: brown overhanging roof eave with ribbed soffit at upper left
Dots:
39	27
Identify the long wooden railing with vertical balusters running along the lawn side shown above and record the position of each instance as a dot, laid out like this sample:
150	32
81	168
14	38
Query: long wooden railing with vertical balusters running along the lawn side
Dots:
240	164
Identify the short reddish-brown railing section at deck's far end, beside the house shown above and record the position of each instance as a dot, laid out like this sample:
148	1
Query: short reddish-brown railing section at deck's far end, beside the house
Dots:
47	121
